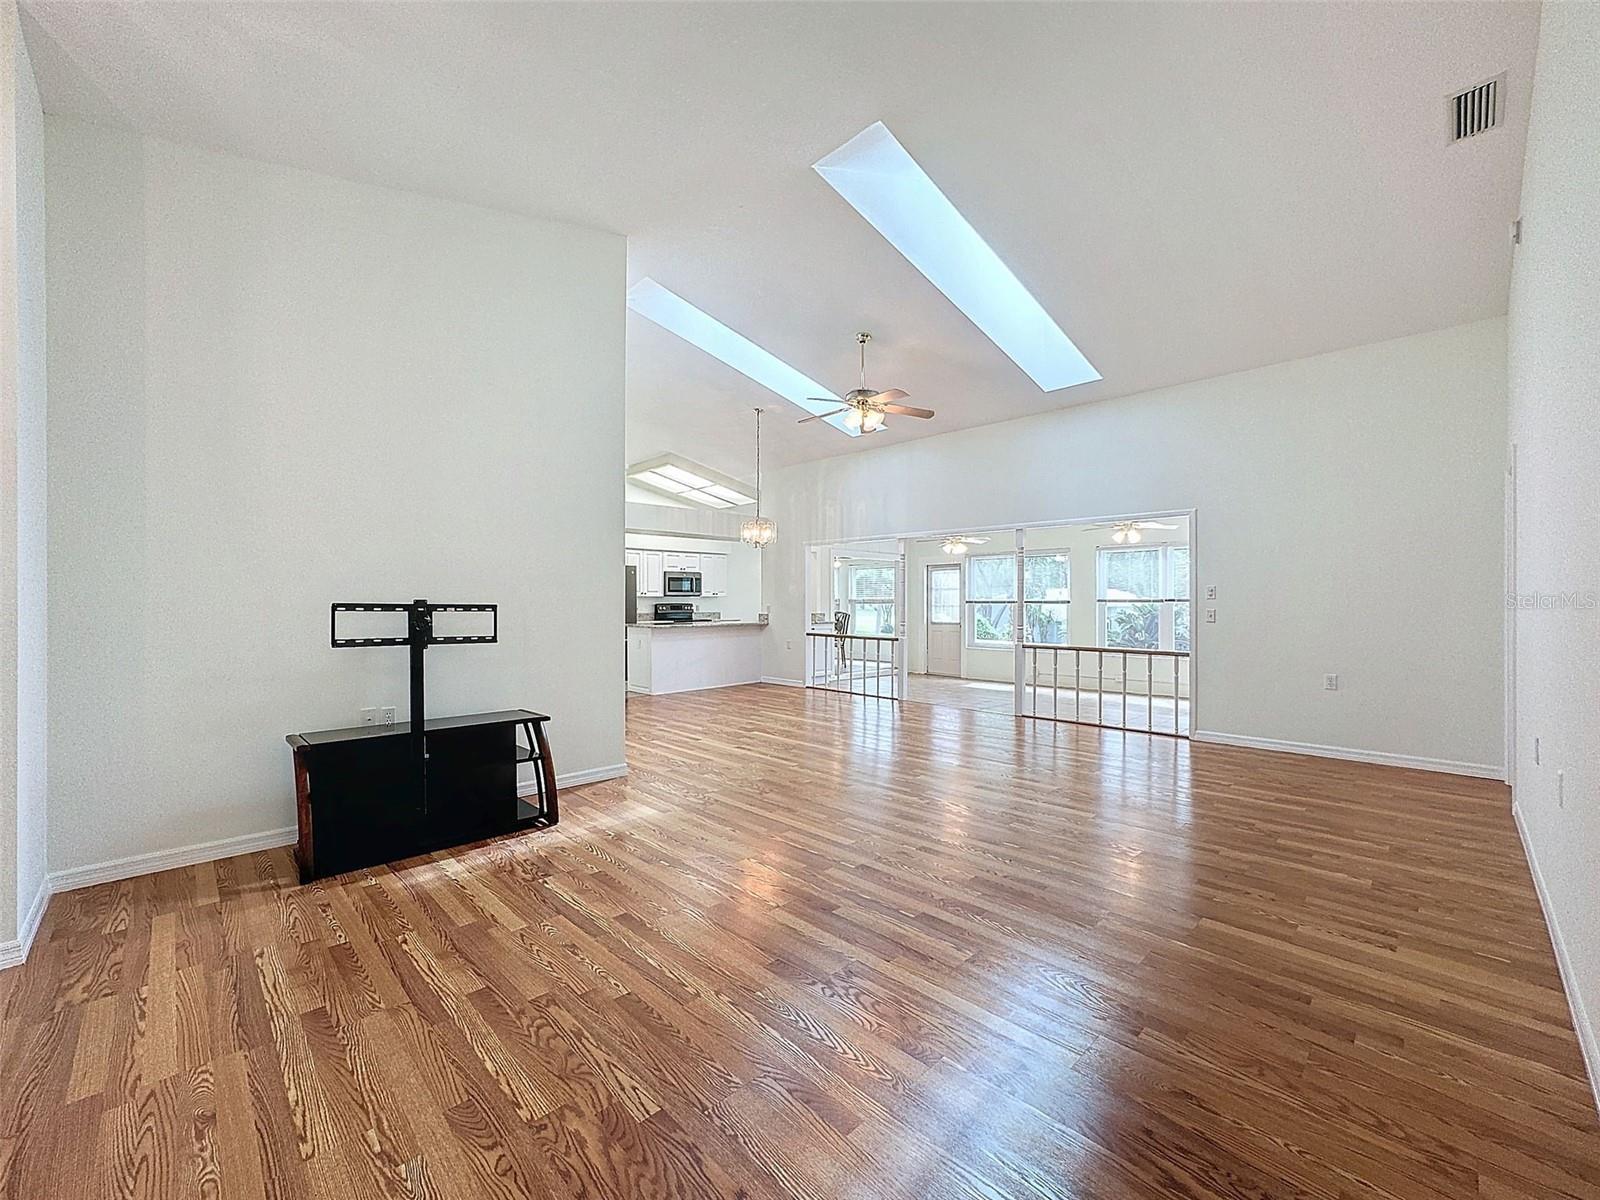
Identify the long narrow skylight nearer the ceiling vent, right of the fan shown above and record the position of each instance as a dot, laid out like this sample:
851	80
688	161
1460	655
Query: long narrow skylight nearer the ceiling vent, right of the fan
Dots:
886	185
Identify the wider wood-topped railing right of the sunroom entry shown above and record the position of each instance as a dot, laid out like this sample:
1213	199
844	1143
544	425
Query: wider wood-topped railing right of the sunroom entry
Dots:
1057	687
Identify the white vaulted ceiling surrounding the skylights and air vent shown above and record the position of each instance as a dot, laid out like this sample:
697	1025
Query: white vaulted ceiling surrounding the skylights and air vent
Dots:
1188	190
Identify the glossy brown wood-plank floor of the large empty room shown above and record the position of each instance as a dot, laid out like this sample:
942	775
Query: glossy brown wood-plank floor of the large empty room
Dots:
822	948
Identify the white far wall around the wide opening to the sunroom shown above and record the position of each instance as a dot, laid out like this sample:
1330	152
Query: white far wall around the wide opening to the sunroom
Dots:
1348	511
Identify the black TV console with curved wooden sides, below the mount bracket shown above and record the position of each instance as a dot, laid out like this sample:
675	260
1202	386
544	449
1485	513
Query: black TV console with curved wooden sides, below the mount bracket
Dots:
359	801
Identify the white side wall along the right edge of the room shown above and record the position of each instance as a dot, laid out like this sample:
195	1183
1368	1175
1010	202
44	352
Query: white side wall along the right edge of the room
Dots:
1554	356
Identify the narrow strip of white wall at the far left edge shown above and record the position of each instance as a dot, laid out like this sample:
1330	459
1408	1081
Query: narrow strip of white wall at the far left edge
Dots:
23	646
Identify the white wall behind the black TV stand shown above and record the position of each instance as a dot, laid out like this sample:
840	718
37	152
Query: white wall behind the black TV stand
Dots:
273	391
